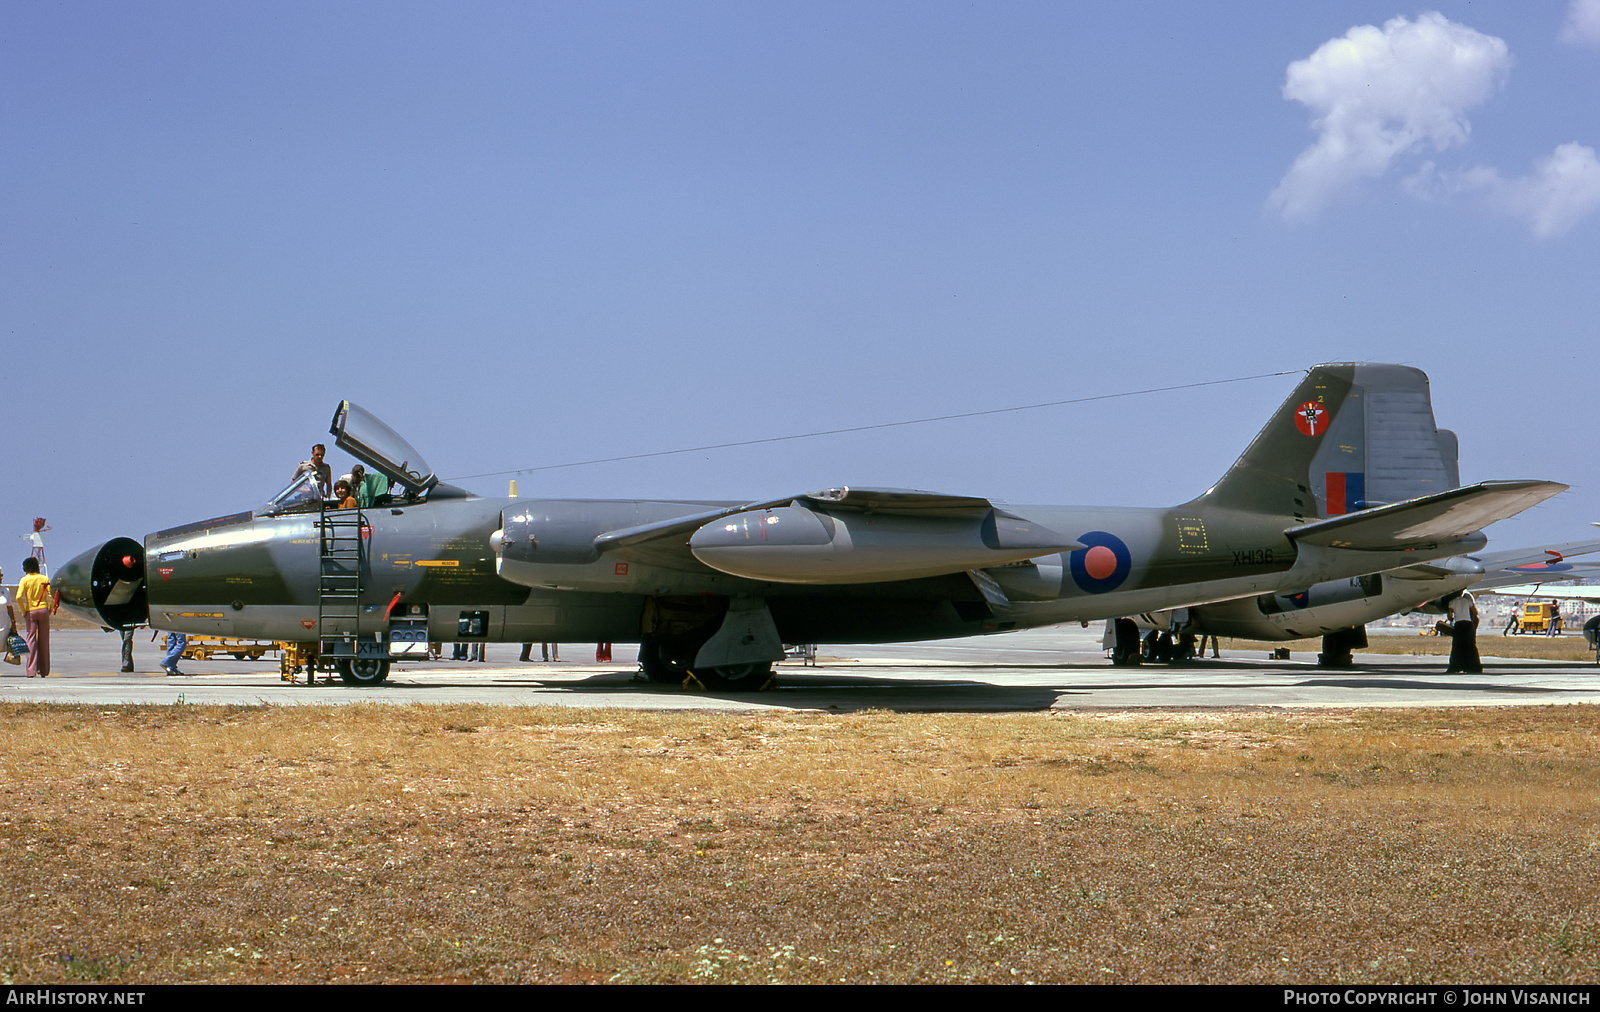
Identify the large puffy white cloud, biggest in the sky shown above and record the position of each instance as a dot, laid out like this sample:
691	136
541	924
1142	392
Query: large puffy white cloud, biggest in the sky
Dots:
1383	94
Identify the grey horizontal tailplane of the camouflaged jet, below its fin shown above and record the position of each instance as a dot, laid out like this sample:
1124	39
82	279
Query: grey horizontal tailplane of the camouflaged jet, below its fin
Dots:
1446	516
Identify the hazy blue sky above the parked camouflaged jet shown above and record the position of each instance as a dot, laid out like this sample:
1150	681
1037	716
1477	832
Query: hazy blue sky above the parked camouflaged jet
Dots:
543	233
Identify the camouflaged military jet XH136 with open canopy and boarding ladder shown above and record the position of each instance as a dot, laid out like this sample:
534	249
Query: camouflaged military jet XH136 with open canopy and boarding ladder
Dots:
711	592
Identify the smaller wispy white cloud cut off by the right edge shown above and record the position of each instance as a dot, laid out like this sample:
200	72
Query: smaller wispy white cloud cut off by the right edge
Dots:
1562	190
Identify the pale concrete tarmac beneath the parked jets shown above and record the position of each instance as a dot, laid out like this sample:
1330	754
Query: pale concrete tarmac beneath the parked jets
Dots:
1055	669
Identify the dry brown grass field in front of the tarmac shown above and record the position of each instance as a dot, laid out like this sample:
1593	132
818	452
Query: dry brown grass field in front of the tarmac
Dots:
540	845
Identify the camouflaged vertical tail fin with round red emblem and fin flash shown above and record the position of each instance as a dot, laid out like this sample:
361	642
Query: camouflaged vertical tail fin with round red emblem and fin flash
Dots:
1353	435
